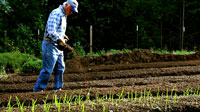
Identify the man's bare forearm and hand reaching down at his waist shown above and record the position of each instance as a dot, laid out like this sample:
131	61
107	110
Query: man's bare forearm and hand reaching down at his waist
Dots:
63	46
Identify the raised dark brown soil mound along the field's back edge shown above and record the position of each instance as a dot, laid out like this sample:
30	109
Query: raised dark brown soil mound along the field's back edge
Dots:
84	64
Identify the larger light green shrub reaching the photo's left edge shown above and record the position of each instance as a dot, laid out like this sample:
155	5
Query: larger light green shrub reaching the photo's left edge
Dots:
12	61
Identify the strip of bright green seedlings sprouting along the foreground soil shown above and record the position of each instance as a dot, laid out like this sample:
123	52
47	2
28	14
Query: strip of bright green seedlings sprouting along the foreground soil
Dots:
145	99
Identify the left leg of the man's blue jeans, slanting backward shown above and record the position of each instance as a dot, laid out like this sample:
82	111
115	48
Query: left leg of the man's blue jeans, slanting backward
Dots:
50	56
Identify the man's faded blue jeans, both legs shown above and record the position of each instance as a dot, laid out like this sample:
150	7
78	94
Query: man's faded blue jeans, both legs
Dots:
53	60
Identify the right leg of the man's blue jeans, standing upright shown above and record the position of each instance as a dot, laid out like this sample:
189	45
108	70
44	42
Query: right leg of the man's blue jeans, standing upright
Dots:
58	74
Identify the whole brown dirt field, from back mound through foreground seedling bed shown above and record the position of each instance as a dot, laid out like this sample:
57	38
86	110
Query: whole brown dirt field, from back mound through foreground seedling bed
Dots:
140	71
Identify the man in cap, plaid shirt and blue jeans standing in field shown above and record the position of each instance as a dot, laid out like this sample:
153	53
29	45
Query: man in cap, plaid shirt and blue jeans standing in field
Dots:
53	46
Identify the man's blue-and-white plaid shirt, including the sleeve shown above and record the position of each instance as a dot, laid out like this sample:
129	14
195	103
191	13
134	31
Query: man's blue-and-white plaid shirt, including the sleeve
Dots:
56	24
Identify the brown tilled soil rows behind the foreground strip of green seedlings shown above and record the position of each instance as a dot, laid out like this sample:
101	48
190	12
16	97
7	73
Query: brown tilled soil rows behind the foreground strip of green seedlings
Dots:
171	73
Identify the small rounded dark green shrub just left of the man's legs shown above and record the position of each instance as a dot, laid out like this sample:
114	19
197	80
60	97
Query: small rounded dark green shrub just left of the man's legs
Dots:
32	66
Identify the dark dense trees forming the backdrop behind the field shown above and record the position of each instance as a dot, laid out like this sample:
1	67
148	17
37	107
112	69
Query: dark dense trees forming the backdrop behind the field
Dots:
114	22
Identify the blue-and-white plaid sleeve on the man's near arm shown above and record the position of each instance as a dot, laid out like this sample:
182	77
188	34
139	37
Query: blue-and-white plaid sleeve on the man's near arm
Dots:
52	26
